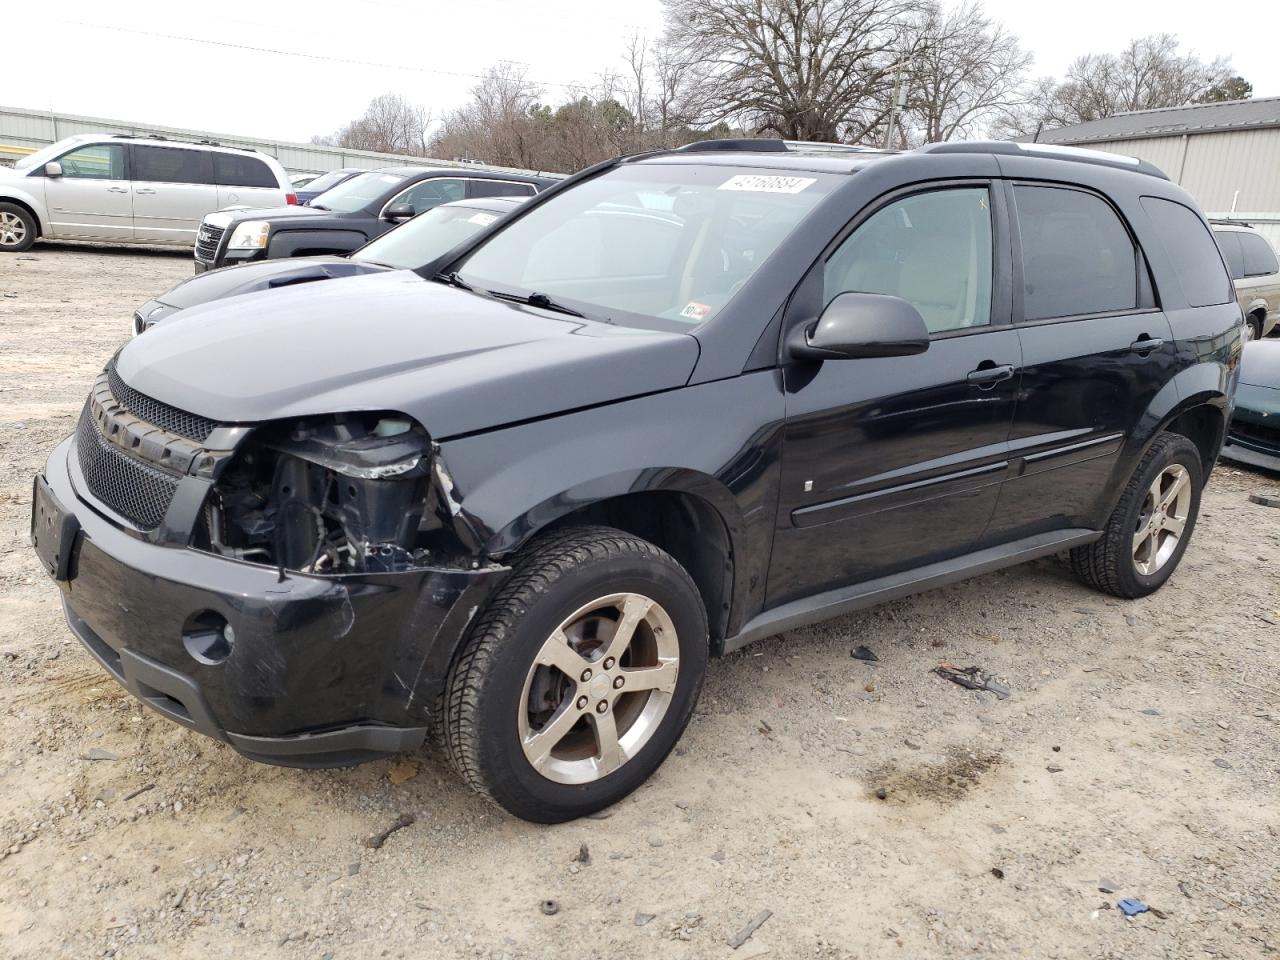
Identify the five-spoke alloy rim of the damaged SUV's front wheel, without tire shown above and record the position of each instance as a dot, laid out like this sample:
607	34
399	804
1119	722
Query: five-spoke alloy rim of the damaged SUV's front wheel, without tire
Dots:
598	688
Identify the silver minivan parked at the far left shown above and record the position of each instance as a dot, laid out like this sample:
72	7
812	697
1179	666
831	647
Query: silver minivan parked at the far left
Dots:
131	190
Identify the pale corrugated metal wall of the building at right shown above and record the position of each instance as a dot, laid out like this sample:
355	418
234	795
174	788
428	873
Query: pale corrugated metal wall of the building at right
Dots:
1213	167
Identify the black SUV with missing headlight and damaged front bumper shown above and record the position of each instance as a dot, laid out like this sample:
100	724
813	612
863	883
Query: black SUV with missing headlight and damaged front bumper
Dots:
683	403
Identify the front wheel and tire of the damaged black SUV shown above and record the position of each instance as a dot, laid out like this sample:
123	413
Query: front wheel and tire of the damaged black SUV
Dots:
579	678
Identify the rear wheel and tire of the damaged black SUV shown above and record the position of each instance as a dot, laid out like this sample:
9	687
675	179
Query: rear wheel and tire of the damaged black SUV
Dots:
1149	532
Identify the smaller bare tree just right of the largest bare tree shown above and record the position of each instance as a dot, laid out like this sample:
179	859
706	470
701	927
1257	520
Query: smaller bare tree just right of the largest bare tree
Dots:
968	74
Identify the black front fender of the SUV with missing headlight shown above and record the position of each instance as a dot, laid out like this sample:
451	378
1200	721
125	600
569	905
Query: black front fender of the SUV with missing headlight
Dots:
717	442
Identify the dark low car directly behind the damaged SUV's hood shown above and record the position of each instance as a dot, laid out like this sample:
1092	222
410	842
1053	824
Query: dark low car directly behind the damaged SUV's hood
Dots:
408	248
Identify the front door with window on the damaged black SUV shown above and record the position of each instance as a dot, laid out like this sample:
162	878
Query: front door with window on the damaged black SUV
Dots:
890	464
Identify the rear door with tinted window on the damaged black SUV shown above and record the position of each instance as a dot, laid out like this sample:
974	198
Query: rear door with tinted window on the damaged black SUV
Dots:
1096	351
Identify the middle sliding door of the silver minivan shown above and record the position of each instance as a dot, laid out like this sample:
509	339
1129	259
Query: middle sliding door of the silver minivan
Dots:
173	189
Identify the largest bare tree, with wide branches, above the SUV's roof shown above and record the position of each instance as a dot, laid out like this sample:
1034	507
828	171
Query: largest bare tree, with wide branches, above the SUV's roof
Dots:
804	70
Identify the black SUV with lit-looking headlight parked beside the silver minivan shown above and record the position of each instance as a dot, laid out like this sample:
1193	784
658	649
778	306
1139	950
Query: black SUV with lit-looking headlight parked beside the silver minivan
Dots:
350	216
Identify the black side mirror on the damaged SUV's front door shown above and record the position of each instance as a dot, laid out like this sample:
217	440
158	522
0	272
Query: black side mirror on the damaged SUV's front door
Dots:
858	326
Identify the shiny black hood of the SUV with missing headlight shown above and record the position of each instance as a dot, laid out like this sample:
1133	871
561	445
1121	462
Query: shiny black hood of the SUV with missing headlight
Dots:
455	362
